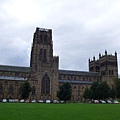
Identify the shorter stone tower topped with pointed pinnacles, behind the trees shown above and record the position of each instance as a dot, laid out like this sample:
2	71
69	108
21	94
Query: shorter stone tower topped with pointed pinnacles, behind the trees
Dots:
106	65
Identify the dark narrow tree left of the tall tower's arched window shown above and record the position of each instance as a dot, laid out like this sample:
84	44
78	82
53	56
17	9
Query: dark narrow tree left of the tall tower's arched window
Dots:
25	90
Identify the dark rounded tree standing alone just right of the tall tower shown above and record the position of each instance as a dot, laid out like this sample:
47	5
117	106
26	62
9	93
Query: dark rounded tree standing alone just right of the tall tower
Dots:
65	92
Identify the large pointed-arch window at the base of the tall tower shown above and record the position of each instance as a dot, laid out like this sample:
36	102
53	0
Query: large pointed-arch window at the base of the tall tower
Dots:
45	88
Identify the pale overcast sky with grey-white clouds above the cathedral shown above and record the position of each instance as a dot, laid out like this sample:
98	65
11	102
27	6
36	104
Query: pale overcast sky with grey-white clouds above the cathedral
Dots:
81	29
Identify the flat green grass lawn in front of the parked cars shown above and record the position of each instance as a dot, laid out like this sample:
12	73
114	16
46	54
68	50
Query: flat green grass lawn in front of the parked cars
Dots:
37	111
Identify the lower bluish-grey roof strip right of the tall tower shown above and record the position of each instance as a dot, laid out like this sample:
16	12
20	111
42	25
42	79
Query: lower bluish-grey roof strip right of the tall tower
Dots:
75	82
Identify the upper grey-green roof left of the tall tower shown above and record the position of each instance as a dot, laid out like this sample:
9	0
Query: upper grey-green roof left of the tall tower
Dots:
15	68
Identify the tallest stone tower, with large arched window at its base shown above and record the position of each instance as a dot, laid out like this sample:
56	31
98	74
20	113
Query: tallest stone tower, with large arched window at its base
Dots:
44	79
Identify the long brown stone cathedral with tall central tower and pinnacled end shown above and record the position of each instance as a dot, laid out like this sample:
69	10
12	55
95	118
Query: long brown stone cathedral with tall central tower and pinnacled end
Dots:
44	74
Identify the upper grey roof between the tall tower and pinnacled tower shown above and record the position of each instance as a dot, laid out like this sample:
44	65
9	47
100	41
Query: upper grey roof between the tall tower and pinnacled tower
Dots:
82	73
